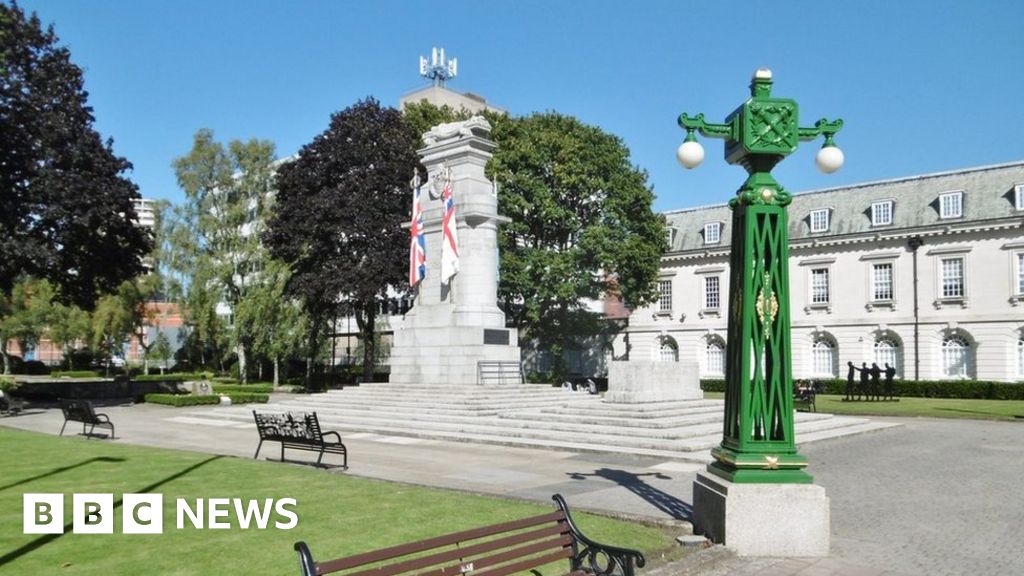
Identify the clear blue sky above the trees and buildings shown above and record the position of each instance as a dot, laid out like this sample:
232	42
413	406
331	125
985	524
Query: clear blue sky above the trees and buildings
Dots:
923	87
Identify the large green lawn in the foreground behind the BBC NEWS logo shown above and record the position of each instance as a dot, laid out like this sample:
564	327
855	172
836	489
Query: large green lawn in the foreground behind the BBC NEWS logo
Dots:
338	515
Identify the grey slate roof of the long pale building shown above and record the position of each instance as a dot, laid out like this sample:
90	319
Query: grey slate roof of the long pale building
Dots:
989	196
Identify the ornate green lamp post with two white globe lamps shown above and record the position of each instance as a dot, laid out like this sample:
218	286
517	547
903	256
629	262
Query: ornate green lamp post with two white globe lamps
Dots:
758	443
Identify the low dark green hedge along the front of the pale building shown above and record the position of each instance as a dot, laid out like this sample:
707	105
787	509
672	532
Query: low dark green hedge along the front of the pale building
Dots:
969	390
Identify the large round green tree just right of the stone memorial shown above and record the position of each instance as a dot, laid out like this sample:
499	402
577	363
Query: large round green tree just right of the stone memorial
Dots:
582	228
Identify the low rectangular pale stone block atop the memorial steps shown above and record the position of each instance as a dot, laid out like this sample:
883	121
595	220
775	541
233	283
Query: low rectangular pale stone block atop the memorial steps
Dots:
644	381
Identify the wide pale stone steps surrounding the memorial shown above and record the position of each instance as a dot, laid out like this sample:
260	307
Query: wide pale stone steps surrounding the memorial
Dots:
532	417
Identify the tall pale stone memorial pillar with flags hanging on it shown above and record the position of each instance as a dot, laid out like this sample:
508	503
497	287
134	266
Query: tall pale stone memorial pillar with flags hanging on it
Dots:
454	326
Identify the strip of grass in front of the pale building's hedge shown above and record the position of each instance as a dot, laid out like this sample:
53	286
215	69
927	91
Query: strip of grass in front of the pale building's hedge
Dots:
928	407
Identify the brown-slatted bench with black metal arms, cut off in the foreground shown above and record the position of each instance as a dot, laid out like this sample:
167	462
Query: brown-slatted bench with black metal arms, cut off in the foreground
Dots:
509	548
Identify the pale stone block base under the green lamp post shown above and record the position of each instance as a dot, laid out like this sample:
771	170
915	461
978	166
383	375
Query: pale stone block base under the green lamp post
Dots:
770	520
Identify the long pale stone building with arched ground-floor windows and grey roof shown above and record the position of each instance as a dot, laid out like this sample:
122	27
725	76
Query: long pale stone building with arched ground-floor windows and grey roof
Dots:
925	273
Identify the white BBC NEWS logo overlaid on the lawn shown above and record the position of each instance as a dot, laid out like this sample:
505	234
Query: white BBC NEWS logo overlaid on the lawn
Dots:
144	514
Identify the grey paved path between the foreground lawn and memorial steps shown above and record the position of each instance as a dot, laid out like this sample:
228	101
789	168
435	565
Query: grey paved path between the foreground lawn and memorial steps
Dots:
930	498
